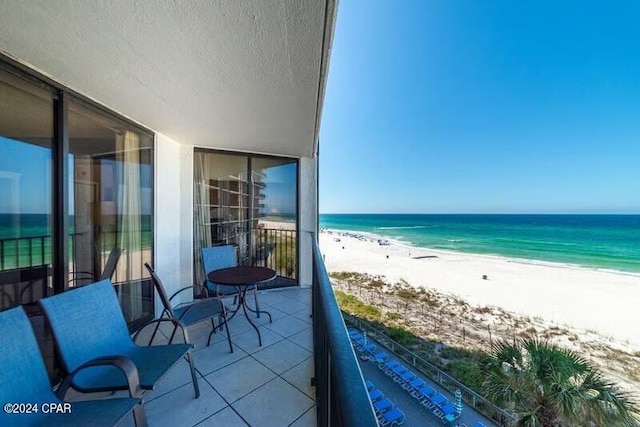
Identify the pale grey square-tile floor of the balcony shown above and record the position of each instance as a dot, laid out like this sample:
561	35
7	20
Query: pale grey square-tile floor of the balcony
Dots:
256	386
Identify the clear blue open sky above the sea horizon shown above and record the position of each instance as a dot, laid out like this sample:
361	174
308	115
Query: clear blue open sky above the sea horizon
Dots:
471	106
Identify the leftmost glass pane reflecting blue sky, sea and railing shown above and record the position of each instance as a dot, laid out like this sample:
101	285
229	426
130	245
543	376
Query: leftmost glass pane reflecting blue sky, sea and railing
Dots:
26	134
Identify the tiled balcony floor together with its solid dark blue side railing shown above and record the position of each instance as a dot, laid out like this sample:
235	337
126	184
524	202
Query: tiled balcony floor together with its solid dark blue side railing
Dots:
269	385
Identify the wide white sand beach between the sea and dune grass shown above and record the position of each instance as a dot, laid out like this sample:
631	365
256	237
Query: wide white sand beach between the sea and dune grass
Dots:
583	298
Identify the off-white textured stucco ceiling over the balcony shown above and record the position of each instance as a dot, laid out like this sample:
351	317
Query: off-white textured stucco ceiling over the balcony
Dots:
238	75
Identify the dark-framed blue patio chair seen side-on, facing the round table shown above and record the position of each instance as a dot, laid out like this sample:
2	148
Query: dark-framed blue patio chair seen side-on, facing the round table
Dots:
190	313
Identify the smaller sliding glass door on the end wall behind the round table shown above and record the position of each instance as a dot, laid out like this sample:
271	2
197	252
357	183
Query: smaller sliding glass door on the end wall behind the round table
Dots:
248	201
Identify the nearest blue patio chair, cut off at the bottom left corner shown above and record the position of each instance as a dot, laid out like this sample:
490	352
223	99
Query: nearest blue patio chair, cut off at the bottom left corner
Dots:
24	379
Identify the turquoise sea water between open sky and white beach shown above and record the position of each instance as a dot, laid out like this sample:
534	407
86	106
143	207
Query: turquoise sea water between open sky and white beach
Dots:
600	241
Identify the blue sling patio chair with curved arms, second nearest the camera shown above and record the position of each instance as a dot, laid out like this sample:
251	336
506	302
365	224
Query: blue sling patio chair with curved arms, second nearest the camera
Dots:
87	323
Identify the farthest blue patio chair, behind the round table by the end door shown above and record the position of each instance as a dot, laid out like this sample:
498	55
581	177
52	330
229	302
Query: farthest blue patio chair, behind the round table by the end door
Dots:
216	258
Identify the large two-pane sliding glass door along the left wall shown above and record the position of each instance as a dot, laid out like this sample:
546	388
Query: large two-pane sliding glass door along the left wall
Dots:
76	198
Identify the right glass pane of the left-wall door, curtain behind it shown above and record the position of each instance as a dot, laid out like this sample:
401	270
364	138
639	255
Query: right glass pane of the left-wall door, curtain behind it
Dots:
110	206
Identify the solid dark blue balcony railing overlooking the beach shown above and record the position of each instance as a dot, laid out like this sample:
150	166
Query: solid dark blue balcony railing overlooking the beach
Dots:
341	396
